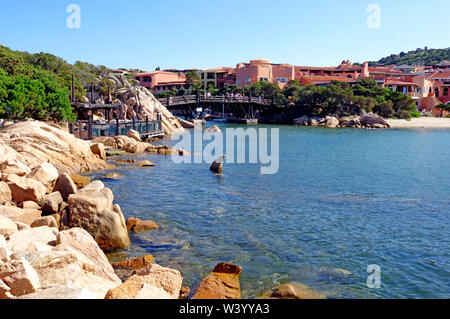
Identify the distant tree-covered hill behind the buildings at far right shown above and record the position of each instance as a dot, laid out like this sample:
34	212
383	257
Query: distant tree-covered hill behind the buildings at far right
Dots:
419	56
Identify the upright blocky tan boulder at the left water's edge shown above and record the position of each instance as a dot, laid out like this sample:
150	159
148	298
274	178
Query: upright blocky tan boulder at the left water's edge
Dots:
92	209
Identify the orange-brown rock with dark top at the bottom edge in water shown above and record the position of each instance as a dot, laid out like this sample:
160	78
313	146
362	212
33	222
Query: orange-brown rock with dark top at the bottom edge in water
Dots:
222	283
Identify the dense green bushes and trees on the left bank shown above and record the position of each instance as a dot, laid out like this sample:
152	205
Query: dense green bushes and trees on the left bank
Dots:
38	85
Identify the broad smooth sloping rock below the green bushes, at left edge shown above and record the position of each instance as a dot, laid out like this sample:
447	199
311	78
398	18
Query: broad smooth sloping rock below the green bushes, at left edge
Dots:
33	142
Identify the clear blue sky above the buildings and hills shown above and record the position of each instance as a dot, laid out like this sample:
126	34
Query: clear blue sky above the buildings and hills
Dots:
210	33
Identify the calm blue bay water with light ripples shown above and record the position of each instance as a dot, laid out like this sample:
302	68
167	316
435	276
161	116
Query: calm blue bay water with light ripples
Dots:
342	199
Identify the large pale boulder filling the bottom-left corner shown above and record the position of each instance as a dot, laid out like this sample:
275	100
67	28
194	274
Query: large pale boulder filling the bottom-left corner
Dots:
37	263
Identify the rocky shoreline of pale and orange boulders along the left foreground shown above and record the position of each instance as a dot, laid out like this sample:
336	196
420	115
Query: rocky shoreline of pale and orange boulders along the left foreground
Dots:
56	225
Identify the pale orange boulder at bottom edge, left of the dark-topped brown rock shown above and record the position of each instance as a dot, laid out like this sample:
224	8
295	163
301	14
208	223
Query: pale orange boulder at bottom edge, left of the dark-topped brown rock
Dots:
152	282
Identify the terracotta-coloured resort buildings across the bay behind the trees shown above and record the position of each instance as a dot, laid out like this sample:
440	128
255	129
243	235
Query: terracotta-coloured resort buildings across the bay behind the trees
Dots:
428	86
